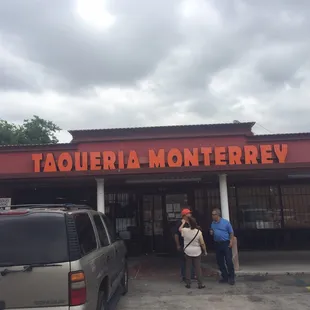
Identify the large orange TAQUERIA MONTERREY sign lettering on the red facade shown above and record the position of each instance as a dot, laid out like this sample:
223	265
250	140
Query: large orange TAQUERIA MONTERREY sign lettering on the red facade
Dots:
174	157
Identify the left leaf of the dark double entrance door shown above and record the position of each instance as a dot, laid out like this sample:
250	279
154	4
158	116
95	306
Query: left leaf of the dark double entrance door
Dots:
153	223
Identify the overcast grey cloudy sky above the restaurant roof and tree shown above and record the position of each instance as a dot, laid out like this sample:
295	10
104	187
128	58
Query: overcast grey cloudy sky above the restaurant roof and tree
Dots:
120	63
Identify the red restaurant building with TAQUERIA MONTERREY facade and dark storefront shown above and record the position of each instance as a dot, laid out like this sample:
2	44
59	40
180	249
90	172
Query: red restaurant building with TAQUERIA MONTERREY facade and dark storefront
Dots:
142	178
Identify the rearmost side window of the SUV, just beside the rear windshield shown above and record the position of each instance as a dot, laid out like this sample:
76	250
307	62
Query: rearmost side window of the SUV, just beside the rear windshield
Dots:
86	234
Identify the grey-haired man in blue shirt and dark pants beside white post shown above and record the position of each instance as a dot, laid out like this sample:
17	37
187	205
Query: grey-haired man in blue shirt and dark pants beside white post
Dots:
223	235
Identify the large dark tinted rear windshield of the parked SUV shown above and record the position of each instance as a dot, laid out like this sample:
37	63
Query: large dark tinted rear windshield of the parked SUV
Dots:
33	238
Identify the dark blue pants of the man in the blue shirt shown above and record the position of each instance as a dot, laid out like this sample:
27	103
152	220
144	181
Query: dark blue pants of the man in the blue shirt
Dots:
224	260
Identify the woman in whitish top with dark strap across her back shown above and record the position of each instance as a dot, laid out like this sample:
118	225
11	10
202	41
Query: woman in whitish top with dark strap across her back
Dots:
194	247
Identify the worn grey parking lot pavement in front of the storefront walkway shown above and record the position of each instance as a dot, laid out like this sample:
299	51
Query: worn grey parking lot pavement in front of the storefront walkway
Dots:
249	293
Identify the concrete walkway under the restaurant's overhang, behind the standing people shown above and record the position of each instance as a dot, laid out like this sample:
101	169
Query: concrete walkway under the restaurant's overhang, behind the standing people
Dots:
251	263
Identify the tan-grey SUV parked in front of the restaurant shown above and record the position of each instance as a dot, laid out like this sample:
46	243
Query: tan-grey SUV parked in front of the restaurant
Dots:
63	257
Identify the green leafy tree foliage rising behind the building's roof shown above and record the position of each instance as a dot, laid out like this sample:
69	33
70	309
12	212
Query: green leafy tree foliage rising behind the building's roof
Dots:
33	131
